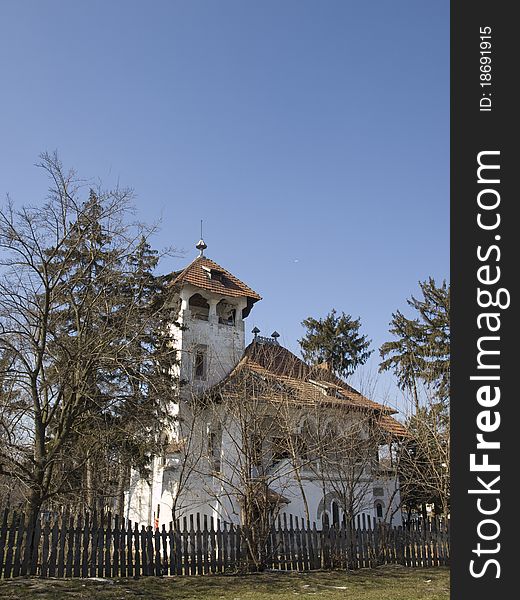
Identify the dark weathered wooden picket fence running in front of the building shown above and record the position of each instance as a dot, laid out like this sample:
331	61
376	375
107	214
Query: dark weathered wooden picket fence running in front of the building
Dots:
105	546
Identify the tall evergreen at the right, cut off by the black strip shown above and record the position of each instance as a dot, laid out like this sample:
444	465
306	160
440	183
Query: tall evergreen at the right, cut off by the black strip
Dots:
419	354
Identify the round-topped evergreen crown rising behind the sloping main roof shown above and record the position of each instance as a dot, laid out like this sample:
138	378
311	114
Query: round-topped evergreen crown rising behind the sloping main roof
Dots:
335	341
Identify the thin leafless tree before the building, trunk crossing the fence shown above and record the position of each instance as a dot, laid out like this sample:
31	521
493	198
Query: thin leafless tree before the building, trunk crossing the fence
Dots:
242	416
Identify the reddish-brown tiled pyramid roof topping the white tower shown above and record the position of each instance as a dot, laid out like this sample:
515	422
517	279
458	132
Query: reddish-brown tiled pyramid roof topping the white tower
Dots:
208	275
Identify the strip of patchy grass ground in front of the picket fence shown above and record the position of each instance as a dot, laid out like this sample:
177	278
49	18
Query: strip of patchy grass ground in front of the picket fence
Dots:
385	583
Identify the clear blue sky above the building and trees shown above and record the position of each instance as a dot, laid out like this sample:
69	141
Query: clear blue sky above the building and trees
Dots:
311	136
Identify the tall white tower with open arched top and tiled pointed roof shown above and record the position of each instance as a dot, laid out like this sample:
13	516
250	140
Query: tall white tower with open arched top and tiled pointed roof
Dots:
210	305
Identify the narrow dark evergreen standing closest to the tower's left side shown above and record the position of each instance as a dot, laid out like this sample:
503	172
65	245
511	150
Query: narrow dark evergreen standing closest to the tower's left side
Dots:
145	376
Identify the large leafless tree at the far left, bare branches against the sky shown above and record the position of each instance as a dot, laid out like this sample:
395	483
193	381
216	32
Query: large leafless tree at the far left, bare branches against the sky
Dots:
65	333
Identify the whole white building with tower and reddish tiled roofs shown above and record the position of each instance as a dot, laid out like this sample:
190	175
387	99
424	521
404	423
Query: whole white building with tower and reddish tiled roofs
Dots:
256	425
